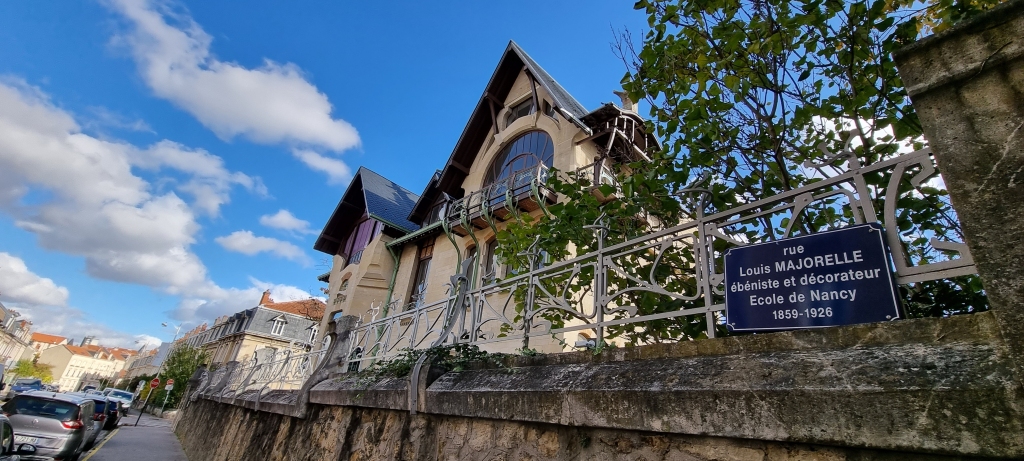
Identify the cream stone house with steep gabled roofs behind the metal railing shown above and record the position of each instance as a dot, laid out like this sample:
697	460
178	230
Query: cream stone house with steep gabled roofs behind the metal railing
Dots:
395	250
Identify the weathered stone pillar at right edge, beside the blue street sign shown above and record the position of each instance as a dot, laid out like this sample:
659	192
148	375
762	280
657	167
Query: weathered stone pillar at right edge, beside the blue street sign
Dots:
968	89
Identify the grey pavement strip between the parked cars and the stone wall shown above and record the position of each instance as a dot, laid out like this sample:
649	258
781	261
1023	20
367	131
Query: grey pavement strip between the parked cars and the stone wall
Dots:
151	441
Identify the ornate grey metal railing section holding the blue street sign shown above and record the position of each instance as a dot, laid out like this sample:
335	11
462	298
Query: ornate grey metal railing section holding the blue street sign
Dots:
671	280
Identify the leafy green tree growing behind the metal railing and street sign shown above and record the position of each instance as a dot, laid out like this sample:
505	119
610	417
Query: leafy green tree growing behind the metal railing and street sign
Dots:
749	99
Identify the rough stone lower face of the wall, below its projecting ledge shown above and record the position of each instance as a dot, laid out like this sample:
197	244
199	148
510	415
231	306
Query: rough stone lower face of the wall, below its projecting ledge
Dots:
359	434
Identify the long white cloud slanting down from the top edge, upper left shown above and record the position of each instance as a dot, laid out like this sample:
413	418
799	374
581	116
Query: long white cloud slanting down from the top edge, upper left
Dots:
270	105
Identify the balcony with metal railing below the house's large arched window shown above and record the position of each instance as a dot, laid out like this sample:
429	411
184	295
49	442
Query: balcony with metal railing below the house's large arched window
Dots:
523	191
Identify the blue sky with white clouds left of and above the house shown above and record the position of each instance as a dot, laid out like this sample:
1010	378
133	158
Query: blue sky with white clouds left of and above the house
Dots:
168	161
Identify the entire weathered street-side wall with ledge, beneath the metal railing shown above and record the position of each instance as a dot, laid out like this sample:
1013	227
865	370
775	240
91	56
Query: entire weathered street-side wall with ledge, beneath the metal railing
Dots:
929	387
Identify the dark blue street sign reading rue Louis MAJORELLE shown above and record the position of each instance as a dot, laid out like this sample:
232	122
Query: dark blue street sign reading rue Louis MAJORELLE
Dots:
824	280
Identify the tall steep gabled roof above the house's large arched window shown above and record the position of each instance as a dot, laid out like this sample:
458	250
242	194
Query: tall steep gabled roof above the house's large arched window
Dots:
479	129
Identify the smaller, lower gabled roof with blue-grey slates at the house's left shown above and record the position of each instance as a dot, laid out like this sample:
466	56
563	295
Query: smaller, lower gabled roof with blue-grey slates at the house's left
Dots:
374	195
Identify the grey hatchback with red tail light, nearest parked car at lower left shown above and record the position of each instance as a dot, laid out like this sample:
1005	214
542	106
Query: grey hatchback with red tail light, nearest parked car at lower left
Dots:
59	426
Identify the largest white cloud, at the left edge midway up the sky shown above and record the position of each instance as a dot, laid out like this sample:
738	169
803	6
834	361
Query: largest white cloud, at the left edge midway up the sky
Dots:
93	203
